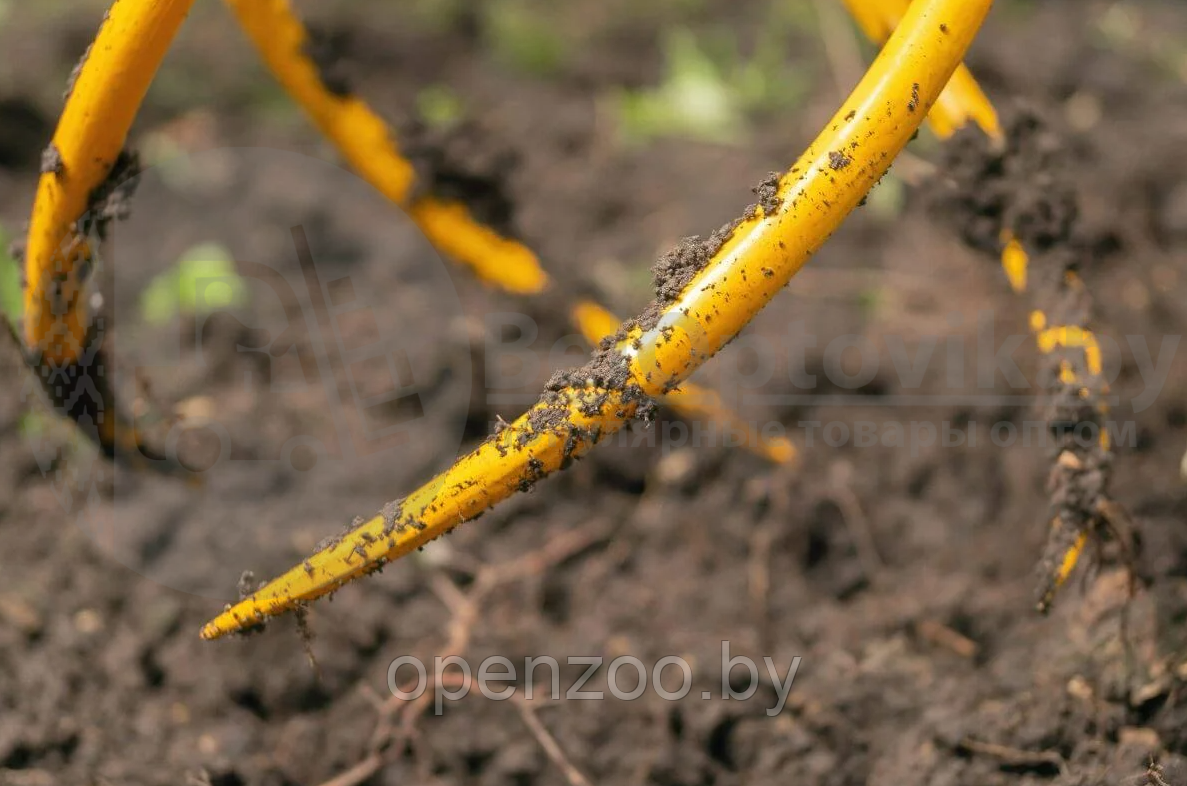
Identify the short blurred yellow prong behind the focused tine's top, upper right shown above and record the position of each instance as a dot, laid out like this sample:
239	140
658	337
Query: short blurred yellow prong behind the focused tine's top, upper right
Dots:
963	100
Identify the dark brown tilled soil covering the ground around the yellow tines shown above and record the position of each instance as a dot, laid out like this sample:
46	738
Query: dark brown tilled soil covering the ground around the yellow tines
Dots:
904	579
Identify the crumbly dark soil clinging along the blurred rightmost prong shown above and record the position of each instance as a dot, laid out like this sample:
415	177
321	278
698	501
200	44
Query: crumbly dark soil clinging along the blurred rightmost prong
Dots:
1024	189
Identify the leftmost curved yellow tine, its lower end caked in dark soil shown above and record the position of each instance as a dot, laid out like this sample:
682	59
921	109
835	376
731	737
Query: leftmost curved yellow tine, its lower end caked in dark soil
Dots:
86	179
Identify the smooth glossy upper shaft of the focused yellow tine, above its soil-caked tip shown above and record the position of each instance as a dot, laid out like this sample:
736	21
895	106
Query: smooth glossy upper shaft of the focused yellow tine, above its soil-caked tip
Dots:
829	181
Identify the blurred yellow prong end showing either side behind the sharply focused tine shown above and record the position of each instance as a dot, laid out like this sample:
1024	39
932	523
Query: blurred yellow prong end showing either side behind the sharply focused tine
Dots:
690	401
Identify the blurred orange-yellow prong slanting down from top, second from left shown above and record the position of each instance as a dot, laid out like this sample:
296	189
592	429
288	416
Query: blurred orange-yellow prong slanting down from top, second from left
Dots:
370	147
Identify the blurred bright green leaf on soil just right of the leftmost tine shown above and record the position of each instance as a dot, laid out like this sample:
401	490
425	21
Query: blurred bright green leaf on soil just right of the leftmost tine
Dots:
204	282
